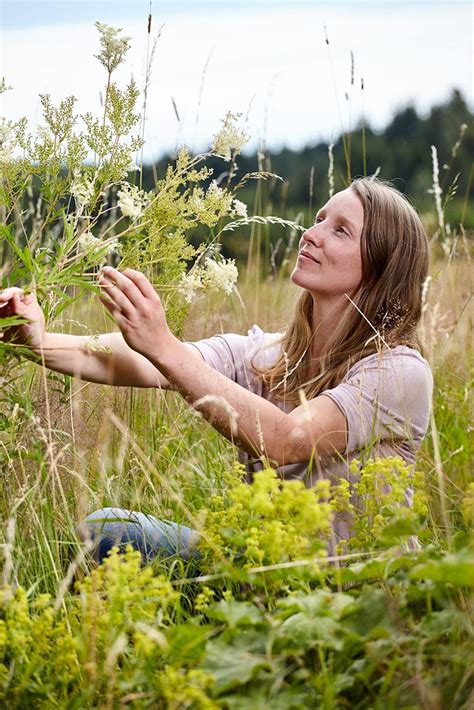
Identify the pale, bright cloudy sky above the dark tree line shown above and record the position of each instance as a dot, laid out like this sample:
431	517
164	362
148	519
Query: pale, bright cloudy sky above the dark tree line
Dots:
268	60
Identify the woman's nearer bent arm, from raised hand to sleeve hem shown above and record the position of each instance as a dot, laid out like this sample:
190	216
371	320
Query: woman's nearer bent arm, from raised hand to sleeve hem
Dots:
255	424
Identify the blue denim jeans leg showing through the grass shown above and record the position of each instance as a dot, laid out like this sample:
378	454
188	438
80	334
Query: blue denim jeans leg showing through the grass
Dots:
109	527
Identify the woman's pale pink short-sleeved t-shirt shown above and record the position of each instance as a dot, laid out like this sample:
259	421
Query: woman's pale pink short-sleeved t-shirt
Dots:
385	399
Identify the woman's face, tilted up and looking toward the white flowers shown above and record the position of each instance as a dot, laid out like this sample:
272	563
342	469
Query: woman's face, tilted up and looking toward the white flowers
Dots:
329	262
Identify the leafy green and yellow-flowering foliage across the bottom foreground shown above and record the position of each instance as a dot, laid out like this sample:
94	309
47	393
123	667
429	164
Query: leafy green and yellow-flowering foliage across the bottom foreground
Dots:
117	639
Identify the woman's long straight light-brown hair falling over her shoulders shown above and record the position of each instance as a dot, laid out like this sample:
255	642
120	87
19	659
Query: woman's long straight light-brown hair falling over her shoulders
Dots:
384	312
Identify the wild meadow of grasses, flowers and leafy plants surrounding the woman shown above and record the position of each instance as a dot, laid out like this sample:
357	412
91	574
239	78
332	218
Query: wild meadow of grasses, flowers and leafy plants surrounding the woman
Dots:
264	619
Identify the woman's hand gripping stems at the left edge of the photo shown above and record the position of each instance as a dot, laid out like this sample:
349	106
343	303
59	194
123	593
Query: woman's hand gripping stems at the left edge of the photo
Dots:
14	302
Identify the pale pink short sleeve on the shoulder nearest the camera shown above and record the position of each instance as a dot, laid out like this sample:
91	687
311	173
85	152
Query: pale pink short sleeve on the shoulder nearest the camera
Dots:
385	397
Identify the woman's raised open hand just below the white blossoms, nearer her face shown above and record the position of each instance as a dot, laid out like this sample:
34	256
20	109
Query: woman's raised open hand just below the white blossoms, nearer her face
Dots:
137	310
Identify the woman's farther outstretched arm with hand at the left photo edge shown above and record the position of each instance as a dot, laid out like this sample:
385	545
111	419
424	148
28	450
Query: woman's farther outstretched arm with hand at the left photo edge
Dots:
105	359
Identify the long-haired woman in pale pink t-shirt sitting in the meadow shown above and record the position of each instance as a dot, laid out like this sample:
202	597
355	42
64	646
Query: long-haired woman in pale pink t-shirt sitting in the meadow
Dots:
345	381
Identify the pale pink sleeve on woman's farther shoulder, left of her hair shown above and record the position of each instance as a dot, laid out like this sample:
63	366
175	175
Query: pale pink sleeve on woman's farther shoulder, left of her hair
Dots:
233	355
